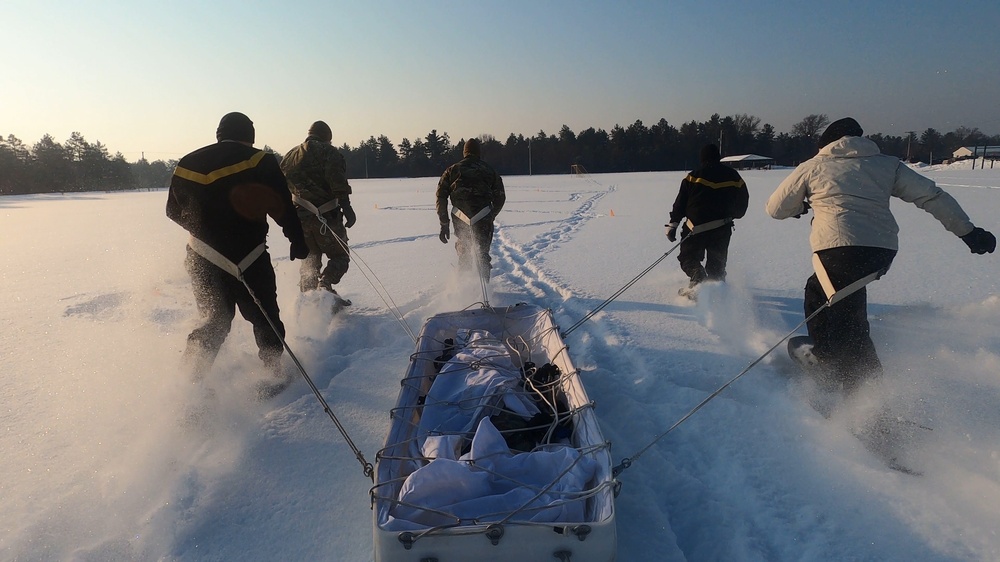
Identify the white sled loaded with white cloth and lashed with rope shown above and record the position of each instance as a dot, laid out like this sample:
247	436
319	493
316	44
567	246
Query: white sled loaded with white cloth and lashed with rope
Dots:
494	452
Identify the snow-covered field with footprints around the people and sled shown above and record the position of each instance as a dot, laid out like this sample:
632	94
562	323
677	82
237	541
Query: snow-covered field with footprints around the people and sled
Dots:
97	466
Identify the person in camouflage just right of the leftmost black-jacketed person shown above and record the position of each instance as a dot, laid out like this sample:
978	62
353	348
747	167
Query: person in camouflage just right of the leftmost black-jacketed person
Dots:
317	177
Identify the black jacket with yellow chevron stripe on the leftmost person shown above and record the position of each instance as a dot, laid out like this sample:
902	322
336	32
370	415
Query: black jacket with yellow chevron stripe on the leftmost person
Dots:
223	193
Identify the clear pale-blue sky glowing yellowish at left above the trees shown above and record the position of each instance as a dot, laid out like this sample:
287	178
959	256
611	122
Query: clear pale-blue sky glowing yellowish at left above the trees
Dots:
154	77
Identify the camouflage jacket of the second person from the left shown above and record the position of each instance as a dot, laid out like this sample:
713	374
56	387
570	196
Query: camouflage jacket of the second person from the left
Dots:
317	172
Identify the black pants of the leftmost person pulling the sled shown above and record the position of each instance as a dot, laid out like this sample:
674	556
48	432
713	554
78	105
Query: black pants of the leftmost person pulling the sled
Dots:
217	294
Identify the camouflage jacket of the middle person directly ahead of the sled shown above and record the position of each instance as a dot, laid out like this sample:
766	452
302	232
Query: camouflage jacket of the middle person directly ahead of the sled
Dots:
472	185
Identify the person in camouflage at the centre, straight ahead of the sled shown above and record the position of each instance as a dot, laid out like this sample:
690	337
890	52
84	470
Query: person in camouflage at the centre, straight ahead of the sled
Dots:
477	196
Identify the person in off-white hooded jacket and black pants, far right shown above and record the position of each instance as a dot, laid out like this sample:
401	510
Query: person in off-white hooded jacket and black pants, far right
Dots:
854	234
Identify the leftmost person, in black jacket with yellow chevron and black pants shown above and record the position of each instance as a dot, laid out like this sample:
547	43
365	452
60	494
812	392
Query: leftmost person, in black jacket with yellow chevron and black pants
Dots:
222	194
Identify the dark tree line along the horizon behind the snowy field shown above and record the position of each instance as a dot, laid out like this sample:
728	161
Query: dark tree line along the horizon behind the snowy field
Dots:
78	165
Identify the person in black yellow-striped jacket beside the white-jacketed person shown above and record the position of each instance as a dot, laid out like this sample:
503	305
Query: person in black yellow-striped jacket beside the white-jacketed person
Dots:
711	197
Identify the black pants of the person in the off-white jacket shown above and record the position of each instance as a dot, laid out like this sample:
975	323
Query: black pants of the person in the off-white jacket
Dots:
841	332
